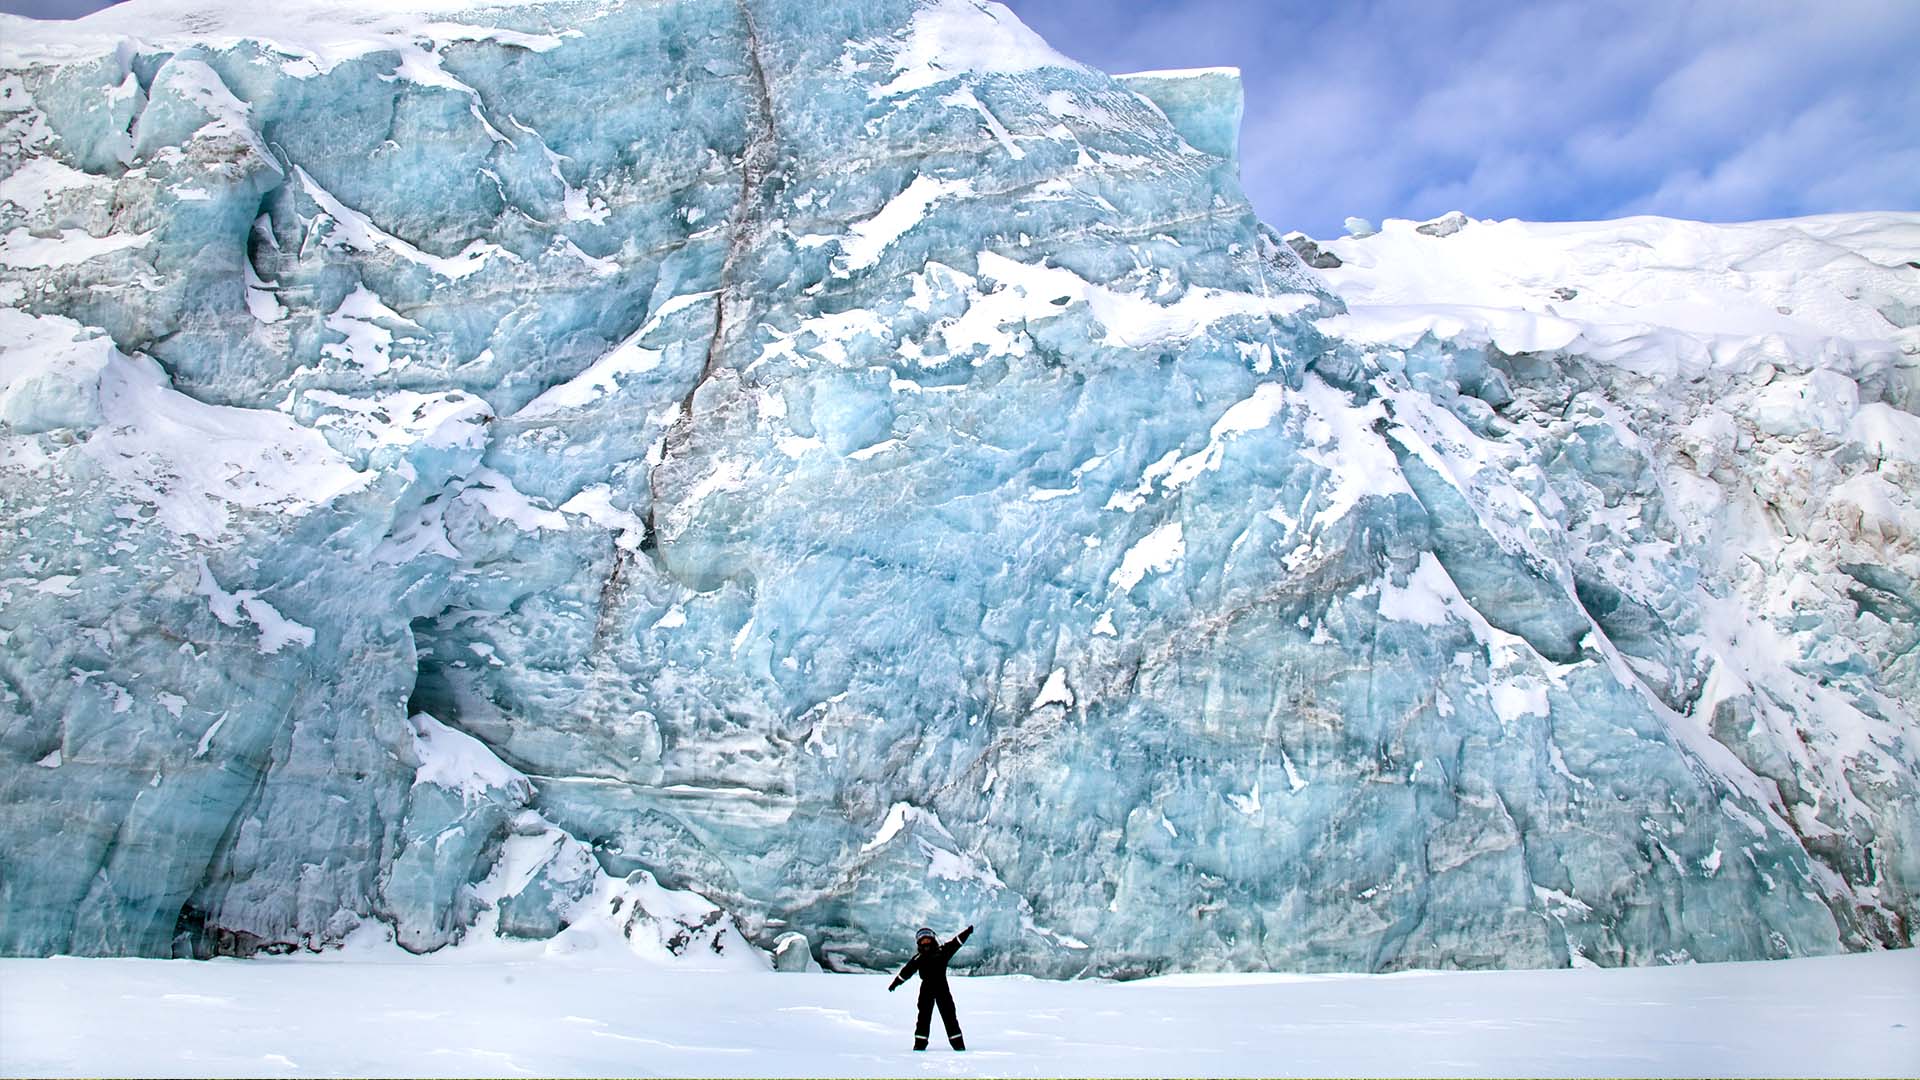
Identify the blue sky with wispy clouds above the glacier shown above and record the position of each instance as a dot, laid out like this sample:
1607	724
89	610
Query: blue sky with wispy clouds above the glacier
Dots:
1719	110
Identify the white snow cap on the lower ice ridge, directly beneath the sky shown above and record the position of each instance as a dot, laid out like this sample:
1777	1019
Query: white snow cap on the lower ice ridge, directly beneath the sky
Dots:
1648	295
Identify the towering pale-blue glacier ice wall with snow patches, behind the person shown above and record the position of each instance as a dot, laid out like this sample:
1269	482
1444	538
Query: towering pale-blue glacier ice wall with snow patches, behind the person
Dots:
832	468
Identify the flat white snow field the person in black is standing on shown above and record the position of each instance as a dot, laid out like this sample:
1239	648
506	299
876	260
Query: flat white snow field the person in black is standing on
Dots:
1856	1016
